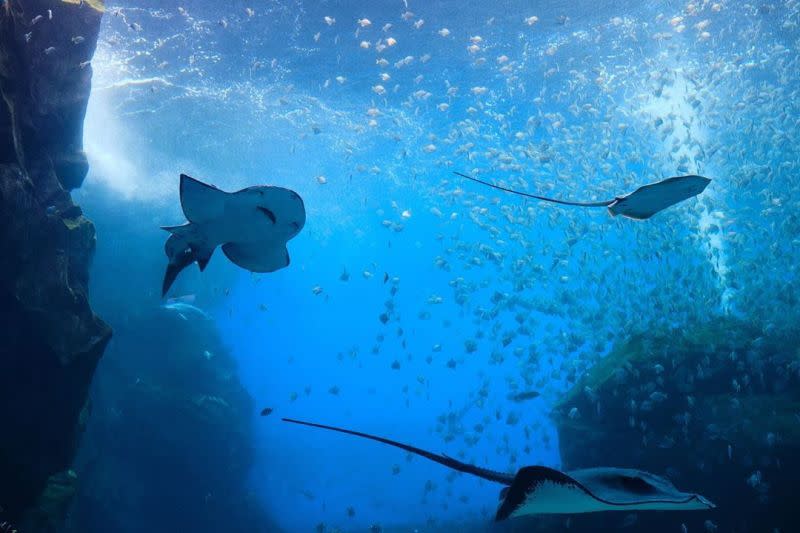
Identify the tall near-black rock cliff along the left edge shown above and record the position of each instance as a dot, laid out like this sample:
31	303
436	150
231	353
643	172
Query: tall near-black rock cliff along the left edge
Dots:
50	340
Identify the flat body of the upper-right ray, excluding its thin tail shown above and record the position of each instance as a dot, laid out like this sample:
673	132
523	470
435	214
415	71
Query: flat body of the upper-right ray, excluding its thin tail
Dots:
648	200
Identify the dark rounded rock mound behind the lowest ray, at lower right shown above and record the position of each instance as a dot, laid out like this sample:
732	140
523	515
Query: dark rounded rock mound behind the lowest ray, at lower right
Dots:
716	409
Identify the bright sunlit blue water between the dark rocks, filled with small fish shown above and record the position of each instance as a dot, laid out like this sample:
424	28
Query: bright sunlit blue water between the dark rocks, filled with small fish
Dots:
255	100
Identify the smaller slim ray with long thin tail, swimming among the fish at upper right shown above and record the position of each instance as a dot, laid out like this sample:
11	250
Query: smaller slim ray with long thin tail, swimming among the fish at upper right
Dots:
641	204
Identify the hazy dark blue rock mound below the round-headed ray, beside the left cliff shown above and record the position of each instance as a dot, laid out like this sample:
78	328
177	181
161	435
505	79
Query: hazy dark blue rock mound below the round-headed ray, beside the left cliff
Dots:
169	444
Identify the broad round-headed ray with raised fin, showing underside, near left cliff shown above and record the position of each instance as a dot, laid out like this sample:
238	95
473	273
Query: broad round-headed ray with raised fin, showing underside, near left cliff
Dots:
252	226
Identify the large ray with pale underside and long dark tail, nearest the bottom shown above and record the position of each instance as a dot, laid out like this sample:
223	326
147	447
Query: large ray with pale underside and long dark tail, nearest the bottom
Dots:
537	490
